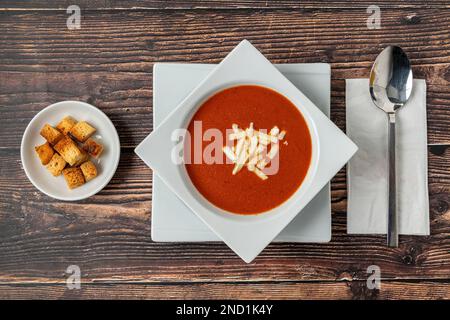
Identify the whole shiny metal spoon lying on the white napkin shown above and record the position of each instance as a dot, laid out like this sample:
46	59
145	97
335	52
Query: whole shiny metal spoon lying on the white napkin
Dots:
391	83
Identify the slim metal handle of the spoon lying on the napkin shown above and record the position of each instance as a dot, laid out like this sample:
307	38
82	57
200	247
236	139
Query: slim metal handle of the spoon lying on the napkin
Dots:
392	235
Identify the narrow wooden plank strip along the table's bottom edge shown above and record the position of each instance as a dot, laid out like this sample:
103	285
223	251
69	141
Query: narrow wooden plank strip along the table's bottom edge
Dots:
355	290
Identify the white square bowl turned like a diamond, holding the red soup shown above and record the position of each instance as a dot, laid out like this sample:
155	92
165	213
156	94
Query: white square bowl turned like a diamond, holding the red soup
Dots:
247	235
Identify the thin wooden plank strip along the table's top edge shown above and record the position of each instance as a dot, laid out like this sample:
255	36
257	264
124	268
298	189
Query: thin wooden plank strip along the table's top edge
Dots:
219	4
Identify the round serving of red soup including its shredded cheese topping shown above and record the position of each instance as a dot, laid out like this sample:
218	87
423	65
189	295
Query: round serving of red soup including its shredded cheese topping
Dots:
253	188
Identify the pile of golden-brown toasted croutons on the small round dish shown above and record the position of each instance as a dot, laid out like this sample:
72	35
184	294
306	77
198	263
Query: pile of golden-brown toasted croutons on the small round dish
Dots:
68	150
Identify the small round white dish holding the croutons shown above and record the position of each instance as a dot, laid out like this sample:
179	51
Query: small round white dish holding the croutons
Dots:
56	187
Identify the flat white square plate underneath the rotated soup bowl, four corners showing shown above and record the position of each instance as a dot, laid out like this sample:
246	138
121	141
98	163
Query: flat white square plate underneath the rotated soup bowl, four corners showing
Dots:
172	220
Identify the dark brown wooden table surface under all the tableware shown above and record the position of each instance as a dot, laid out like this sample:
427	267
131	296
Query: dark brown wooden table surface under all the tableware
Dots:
108	63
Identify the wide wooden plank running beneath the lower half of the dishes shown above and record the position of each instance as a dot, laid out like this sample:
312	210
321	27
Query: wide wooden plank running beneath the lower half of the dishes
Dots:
108	236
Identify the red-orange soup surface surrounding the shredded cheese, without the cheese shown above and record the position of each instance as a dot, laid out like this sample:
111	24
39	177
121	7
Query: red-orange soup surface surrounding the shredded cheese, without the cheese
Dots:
245	192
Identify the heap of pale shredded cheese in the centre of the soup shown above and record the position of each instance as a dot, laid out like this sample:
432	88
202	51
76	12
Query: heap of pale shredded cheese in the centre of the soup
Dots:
251	148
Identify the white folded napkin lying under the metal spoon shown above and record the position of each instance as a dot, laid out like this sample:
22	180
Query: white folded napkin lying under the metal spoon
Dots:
367	171
